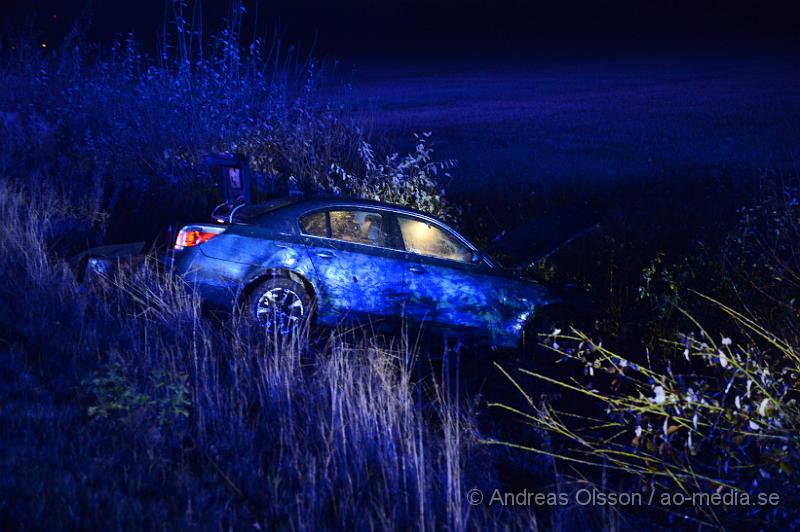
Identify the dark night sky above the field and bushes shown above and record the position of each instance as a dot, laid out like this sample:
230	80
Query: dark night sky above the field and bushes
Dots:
353	28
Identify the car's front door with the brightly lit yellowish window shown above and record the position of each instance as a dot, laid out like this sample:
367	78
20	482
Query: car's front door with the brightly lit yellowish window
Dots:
446	287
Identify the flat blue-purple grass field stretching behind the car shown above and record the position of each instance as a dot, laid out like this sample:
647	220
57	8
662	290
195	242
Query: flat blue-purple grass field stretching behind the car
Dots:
590	124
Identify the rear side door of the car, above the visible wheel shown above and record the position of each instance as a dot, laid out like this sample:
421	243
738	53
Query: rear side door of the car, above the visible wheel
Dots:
358	261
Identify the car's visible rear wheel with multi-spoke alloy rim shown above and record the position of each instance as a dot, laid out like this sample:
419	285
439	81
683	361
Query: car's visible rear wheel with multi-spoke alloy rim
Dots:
279	305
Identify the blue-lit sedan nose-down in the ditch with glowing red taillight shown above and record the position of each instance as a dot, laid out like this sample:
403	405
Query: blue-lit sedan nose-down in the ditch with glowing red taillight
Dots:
343	261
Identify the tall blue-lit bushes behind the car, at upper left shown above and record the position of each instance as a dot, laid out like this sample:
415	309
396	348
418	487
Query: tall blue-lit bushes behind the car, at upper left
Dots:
130	132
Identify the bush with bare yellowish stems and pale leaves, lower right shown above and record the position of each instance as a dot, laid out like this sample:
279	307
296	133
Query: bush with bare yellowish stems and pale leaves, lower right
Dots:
712	409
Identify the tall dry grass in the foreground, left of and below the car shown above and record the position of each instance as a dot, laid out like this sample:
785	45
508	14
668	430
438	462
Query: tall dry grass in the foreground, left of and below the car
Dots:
124	397
